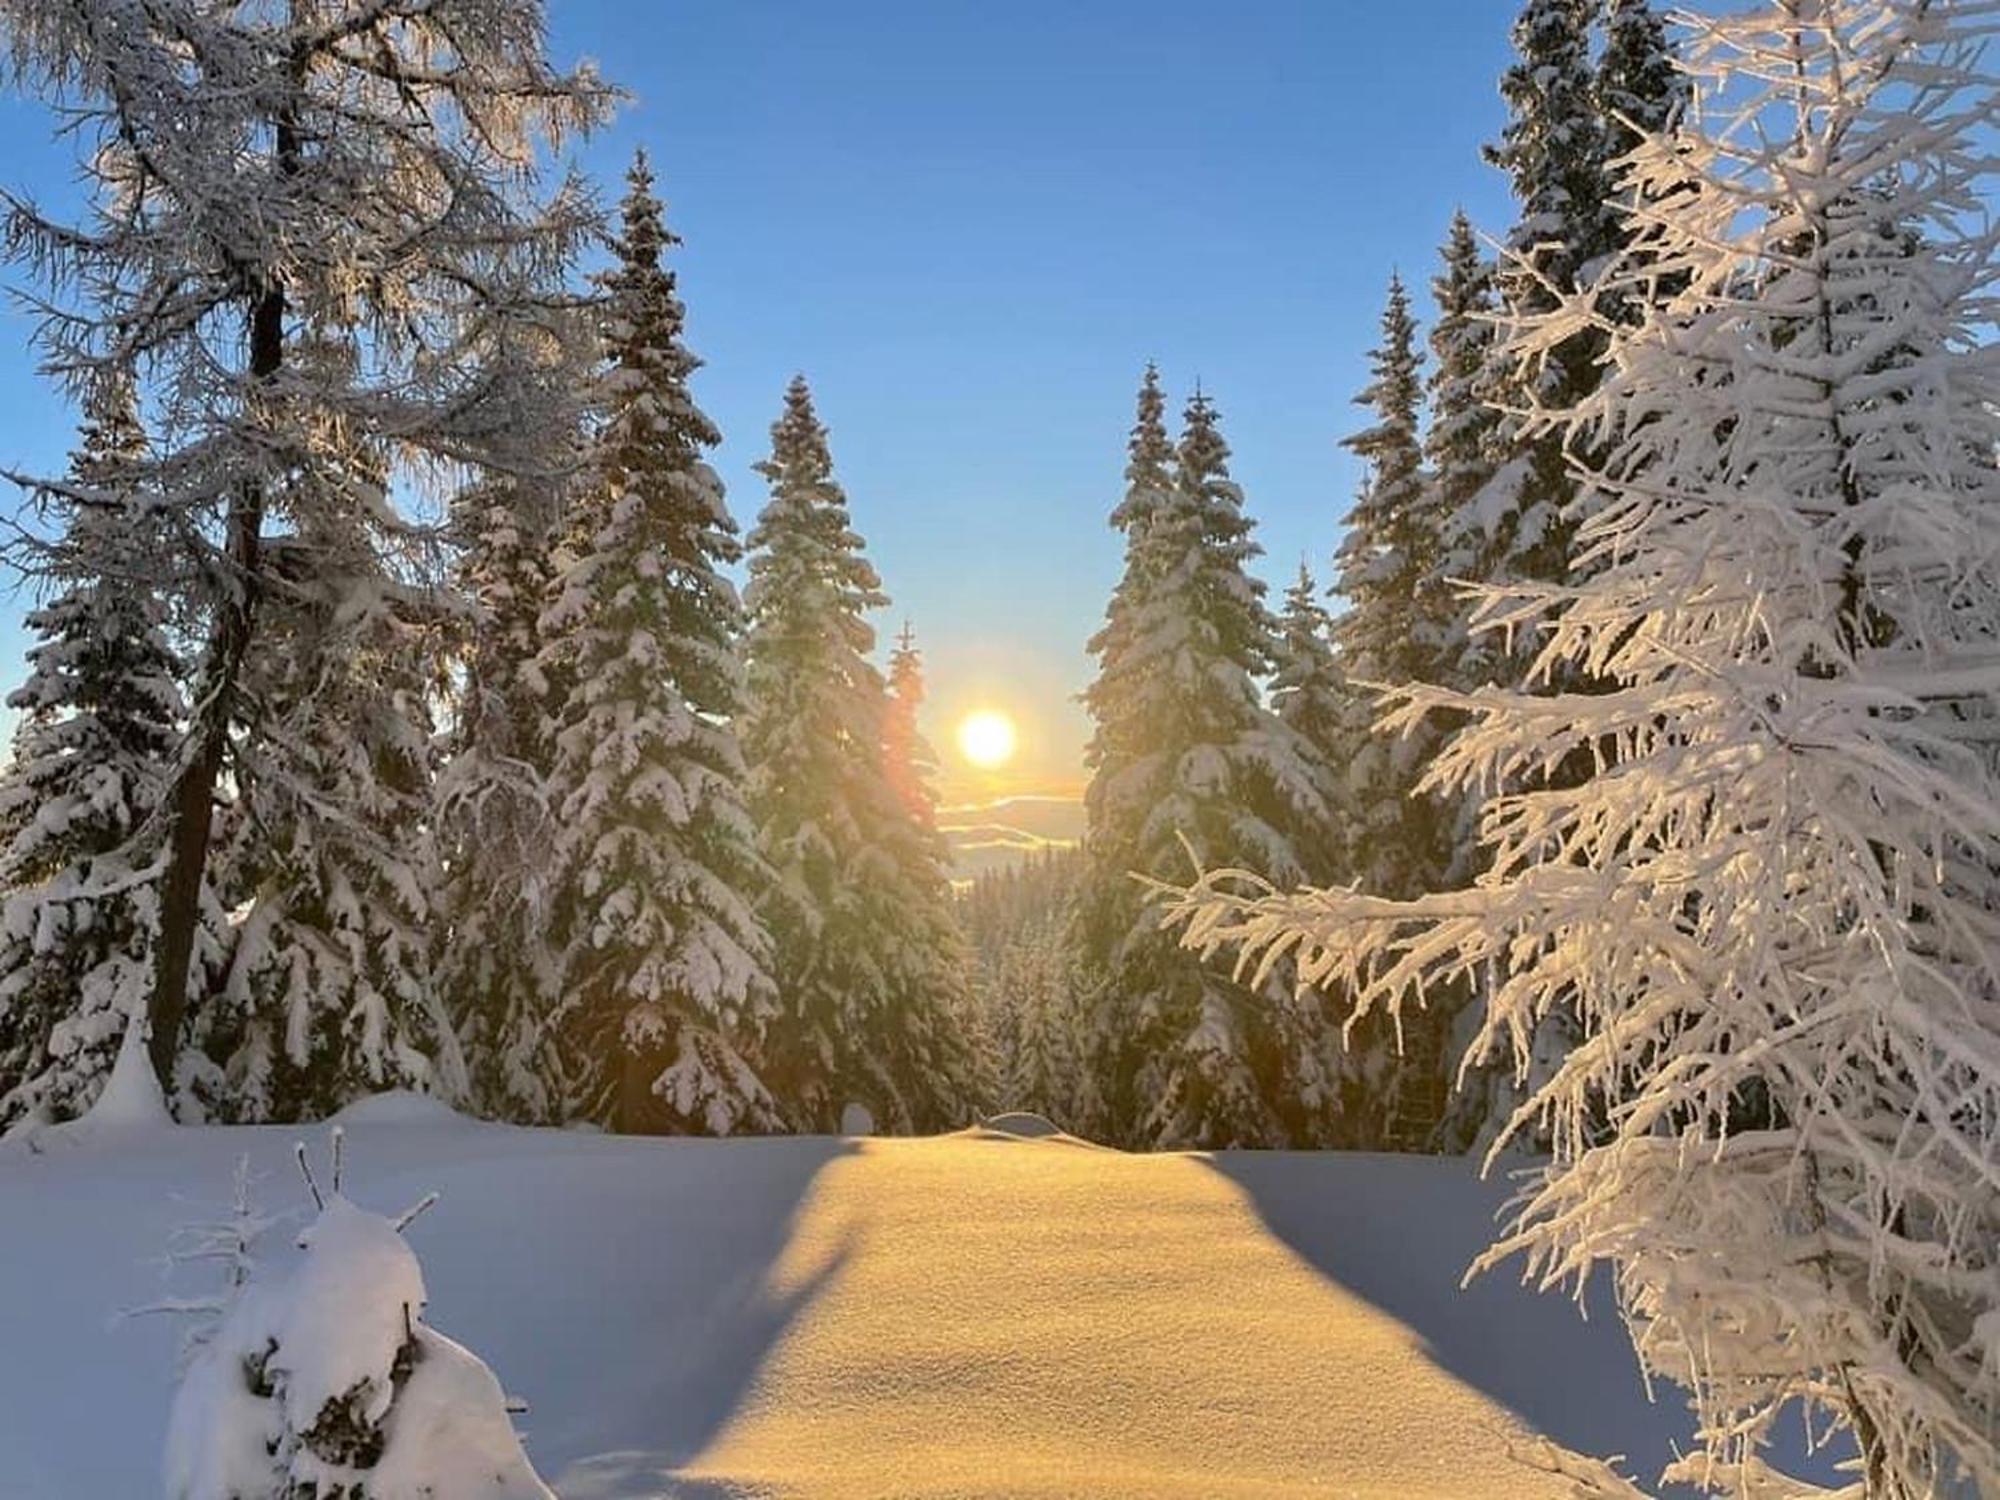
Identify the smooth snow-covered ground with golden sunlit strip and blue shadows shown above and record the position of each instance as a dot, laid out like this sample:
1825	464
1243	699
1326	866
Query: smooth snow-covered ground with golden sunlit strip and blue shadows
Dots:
983	1315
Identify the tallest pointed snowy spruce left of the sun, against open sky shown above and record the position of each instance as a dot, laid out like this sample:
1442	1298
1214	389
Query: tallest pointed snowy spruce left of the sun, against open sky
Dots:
659	947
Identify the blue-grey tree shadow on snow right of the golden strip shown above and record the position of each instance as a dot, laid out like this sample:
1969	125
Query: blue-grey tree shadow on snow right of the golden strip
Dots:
1401	1233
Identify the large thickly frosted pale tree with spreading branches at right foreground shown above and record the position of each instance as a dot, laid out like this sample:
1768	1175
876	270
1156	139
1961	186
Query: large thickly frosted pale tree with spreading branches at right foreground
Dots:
1775	903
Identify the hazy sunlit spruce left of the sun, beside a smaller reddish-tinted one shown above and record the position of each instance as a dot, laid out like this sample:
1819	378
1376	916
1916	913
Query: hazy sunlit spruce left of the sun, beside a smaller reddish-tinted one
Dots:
863	1013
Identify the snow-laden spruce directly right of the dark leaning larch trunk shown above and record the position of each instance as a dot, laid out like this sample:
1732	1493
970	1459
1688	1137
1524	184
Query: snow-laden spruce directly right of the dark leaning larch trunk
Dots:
331	861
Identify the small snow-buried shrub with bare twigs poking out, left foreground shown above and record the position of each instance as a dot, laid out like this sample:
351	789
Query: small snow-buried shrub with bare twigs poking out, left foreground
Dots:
323	1383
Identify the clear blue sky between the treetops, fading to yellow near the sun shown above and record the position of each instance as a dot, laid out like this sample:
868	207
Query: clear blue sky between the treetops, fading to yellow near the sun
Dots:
971	225
